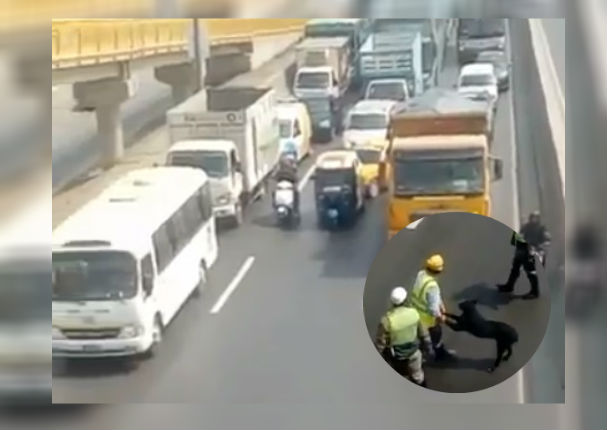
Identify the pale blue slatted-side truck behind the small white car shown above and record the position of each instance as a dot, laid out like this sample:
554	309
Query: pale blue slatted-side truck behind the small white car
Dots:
393	51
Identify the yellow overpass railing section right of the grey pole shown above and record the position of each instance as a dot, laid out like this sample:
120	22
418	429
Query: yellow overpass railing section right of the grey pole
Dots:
221	31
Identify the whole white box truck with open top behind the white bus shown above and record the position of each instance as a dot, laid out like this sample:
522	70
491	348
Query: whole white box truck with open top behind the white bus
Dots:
232	134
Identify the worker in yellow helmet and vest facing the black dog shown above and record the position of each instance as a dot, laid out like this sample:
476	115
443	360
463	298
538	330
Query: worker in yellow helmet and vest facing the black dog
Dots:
426	299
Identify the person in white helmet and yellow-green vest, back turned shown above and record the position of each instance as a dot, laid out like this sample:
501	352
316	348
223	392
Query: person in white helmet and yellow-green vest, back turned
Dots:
398	338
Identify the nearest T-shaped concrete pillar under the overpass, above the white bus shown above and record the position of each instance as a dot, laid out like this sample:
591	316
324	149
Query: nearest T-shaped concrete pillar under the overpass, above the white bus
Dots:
106	96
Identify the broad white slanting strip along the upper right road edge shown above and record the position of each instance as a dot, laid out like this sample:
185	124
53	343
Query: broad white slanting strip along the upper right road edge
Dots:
555	100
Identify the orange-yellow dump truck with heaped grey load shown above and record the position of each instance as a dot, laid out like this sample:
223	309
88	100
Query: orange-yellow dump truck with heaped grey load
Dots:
439	158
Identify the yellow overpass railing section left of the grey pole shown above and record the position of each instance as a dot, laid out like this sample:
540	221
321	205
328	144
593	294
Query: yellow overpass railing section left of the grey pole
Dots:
88	42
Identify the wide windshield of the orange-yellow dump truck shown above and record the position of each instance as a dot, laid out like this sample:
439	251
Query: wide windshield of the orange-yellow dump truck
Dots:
439	176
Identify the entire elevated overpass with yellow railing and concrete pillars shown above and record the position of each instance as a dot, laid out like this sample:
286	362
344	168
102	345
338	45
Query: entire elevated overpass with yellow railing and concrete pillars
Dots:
99	57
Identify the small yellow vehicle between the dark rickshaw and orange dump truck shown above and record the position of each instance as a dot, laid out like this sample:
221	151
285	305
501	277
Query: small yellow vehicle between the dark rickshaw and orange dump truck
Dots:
372	155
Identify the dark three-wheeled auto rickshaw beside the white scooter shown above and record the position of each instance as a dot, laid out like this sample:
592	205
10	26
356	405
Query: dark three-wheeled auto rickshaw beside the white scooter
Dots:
339	189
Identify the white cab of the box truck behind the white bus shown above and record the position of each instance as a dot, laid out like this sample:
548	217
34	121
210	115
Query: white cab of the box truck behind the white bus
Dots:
220	161
